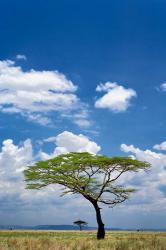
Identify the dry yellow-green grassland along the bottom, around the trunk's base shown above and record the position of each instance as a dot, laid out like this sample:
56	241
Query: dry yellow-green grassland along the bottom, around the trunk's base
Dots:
75	240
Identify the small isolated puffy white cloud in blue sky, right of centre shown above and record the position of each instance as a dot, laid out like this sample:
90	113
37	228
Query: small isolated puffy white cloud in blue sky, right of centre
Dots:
117	98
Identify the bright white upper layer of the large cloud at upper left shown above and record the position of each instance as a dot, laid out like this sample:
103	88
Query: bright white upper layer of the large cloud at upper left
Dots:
12	77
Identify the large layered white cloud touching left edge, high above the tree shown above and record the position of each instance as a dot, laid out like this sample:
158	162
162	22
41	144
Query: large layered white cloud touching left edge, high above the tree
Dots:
35	94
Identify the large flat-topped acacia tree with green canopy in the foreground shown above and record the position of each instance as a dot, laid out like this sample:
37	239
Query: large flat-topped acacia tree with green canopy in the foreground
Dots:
93	176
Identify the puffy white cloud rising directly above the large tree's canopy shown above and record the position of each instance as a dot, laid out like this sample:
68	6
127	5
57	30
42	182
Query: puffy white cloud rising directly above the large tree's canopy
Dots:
69	142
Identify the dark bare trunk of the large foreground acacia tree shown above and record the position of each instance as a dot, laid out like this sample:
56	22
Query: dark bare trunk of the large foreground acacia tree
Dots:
101	229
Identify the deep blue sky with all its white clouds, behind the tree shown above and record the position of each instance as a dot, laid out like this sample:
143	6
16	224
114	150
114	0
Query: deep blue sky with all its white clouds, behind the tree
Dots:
95	68
